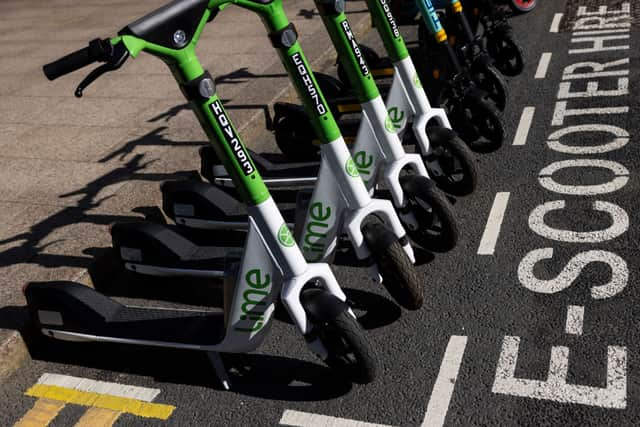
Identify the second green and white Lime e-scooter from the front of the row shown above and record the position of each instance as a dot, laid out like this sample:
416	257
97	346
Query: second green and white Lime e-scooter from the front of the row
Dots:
340	203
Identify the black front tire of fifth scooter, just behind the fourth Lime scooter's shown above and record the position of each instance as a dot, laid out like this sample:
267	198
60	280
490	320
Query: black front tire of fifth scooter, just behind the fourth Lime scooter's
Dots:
479	124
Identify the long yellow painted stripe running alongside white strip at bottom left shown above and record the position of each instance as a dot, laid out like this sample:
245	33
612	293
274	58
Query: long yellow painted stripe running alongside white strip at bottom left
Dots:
116	403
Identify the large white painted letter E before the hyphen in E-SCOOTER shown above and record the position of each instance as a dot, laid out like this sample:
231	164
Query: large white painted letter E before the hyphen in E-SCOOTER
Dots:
556	388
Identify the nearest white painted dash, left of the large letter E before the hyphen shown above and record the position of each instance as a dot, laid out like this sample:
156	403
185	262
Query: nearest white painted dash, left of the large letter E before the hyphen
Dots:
445	383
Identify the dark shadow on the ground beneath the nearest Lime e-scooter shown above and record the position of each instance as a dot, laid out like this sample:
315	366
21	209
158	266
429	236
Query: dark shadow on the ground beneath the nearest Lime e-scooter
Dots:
263	376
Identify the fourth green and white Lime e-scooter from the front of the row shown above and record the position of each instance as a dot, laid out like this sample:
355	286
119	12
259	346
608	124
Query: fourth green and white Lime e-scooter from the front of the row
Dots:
449	162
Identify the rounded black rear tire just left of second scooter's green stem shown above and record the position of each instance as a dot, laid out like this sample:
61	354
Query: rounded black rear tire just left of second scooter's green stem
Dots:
294	137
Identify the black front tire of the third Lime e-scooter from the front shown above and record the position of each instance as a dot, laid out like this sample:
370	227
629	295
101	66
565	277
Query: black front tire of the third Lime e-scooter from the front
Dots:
437	227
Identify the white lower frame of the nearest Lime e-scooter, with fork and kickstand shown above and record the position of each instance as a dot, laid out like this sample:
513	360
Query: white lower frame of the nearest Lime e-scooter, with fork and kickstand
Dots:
270	266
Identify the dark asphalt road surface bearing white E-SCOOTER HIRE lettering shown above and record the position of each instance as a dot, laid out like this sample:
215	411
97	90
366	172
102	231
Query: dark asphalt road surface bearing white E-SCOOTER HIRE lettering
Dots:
531	320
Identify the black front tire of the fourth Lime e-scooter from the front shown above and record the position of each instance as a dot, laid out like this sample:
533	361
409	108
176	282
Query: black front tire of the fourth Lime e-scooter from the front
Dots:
451	164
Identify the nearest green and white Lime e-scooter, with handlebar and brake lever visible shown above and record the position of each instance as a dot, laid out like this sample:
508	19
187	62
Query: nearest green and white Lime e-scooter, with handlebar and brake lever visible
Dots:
271	266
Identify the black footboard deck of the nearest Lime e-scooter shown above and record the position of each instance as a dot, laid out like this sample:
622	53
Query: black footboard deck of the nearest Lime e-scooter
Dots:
71	307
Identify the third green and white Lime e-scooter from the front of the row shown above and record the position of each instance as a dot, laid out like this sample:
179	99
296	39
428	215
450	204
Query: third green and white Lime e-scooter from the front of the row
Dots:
378	153
